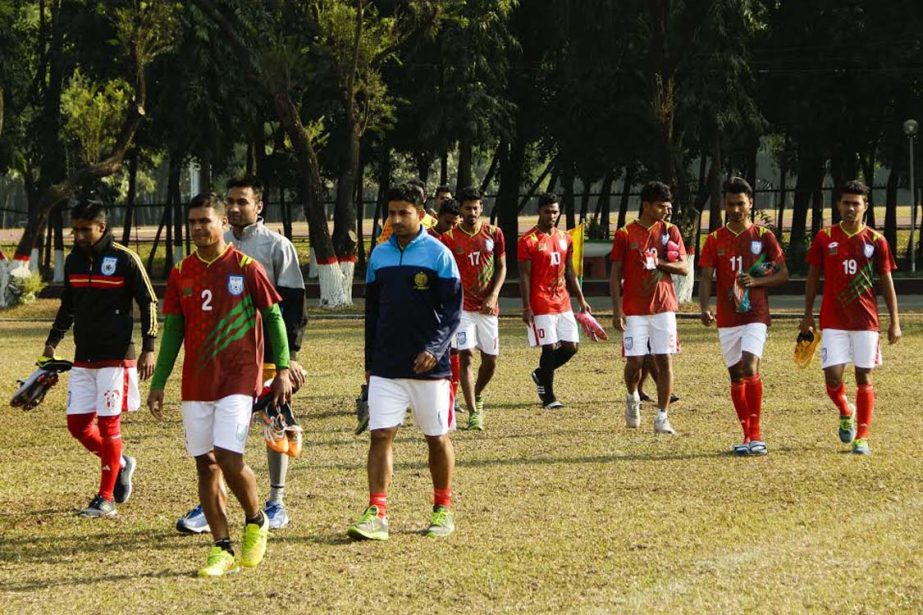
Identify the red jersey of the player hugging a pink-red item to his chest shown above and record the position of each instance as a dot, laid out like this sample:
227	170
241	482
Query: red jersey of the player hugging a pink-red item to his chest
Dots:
645	291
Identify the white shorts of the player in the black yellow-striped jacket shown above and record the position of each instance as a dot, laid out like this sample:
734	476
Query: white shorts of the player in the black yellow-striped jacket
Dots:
107	391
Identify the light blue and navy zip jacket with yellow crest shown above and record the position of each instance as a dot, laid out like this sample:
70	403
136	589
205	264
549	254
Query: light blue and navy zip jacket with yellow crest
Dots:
413	300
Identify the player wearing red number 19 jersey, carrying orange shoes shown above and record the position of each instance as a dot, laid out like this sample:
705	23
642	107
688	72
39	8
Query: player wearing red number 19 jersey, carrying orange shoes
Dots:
850	254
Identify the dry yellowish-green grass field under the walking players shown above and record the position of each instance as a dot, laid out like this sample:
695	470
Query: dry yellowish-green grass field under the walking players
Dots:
562	511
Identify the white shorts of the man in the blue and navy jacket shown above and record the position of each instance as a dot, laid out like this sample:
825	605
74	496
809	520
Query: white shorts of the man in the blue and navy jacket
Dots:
430	400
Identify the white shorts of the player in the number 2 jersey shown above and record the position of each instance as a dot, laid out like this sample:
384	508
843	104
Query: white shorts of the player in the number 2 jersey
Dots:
217	424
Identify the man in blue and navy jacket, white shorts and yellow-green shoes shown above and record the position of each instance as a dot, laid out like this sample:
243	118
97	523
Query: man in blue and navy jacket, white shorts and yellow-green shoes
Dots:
412	308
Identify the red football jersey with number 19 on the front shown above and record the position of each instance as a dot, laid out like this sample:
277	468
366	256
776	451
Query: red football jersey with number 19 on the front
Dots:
849	264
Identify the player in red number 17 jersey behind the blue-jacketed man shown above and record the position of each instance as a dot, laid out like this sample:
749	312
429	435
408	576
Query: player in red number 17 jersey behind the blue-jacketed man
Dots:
480	253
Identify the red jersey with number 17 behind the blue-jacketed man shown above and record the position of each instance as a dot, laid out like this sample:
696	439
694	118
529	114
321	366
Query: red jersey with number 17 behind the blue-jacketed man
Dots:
476	254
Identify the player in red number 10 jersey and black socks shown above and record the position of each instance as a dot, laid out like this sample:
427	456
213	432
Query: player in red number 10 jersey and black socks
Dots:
546	271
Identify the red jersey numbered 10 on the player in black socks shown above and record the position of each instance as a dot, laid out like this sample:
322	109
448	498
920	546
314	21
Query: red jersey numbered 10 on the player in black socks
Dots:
547	253
